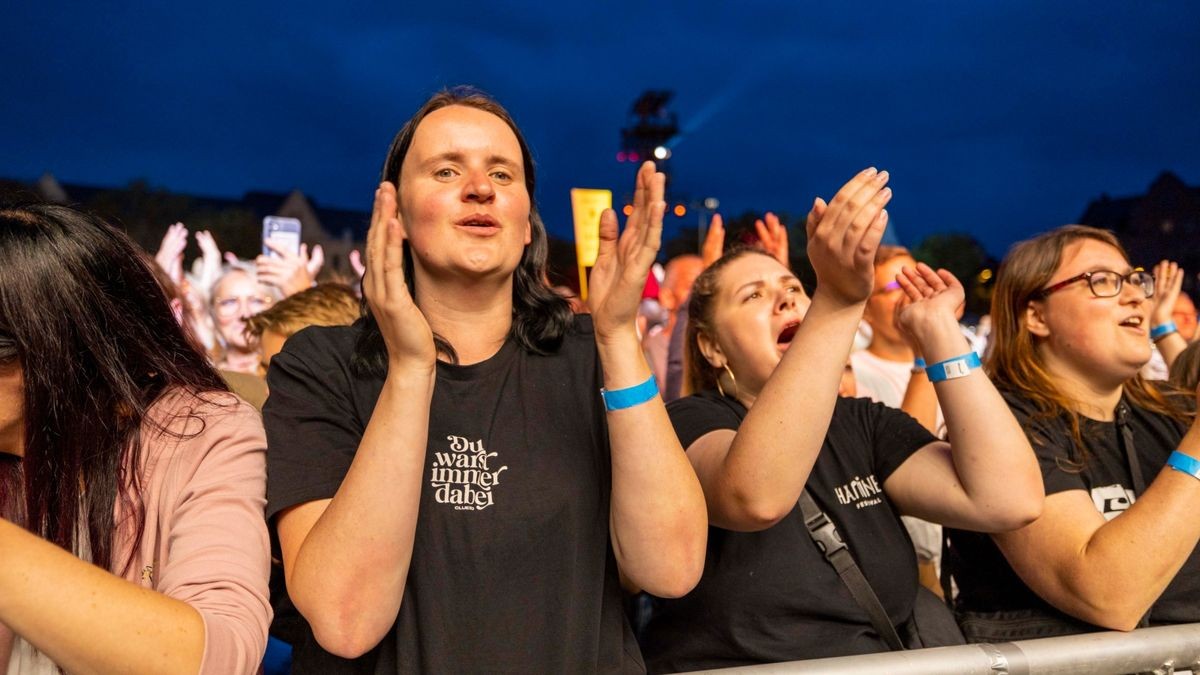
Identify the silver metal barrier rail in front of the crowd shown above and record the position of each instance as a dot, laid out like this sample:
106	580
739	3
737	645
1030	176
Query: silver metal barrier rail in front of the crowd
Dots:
1162	650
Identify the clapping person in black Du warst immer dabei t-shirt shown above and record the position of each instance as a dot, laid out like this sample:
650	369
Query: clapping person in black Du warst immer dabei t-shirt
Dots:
463	481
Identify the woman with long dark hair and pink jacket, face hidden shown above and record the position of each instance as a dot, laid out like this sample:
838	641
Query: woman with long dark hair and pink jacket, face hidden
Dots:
133	483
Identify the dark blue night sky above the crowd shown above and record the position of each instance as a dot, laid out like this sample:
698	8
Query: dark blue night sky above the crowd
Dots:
1000	120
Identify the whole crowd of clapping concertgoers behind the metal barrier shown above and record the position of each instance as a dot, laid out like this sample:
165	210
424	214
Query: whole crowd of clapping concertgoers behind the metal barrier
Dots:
447	465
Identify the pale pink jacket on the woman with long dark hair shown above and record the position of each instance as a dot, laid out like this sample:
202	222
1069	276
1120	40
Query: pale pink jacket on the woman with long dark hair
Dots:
206	543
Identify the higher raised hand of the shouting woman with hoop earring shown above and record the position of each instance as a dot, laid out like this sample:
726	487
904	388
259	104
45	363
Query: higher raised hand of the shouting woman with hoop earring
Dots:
845	235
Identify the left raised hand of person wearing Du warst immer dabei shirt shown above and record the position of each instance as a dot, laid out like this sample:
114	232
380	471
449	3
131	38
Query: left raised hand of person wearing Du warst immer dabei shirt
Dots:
405	331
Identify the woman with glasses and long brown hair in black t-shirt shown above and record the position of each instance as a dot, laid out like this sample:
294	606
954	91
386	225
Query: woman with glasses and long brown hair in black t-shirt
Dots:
1117	543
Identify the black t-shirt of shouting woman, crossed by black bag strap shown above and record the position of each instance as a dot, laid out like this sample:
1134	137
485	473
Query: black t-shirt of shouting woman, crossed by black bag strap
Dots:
772	596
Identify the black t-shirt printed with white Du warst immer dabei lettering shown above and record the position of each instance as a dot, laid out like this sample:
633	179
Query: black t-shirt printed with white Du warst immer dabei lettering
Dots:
512	566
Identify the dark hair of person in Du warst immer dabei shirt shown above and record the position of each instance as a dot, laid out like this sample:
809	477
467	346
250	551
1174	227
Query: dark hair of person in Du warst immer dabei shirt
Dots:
541	318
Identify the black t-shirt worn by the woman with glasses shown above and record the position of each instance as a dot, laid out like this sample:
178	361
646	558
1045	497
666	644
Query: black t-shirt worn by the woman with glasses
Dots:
986	581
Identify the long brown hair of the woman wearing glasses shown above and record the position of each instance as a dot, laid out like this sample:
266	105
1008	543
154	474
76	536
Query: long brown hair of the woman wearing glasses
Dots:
1013	361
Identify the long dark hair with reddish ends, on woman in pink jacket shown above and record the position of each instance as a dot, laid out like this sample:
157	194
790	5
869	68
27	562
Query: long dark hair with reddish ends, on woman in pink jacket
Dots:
98	344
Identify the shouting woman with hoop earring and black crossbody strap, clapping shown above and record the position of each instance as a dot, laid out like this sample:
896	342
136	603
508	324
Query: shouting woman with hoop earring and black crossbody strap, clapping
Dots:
765	427
